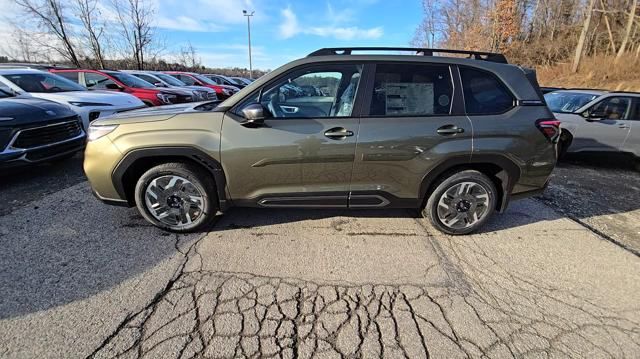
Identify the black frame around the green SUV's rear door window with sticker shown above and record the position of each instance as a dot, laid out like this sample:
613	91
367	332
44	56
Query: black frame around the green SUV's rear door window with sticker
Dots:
453	107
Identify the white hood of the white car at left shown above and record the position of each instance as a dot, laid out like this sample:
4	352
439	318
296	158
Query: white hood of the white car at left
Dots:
107	97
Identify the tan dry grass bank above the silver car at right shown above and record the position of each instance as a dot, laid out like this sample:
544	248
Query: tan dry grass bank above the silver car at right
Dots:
594	72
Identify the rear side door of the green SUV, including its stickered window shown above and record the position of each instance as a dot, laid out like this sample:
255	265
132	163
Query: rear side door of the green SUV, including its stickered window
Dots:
413	120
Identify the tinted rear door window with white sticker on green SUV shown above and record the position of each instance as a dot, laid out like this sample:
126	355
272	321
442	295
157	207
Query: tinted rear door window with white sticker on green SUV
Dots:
411	90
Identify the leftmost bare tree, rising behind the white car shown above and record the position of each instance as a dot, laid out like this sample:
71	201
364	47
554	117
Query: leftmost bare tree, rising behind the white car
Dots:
50	19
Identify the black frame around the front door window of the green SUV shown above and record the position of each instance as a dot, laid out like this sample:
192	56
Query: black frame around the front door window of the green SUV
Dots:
355	113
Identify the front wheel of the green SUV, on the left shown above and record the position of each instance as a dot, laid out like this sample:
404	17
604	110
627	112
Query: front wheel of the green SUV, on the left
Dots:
178	197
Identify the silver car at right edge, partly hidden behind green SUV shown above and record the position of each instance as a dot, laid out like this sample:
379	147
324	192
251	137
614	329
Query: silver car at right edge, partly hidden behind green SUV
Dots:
597	121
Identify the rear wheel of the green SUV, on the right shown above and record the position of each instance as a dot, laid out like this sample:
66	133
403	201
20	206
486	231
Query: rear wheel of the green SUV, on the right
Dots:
461	203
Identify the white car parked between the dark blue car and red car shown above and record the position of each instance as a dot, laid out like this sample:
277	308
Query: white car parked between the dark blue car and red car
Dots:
90	105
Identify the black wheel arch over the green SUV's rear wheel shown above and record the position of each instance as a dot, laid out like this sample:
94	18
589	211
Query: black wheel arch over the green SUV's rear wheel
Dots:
501	170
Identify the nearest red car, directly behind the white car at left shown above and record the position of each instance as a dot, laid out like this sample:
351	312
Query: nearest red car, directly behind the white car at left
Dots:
124	82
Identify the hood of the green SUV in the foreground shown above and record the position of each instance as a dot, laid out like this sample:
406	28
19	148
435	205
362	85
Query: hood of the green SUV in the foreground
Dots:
150	114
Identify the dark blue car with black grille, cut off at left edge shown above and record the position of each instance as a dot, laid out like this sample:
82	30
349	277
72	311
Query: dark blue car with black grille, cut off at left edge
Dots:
33	130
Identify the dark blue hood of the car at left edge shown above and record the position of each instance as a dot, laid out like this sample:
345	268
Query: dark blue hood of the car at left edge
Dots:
16	110
